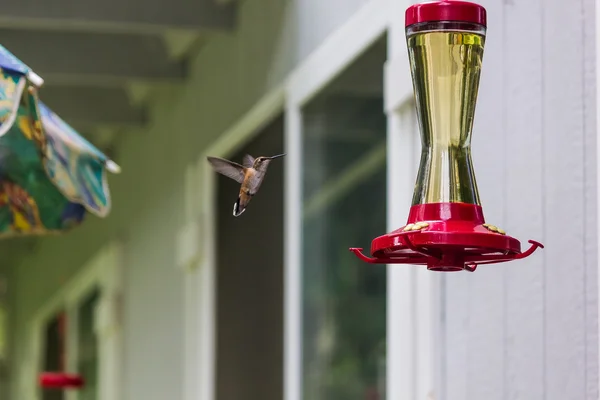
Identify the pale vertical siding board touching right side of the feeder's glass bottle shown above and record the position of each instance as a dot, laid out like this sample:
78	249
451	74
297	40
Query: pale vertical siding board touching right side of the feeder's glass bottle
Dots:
486	289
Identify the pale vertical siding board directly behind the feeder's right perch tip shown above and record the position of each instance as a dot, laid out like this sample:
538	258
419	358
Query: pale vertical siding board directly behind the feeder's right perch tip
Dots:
524	198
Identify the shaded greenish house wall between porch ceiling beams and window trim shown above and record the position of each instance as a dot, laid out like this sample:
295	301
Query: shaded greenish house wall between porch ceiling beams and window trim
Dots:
228	76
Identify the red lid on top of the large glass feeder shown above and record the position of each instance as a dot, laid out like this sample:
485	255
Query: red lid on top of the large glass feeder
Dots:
446	10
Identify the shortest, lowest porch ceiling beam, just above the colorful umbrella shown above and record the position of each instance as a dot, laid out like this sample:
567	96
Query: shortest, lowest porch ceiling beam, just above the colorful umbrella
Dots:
85	108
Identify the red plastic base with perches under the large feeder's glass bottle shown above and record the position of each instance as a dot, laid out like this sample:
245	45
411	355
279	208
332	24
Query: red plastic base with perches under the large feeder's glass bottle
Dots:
446	237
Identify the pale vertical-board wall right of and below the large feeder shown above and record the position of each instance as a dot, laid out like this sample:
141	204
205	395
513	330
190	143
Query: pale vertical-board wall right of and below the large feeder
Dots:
528	330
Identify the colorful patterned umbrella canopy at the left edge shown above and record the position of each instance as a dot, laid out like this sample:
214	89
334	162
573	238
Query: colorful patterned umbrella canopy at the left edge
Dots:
49	174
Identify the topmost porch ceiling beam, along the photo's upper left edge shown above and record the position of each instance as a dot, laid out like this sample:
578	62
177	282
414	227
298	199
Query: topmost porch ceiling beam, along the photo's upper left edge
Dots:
142	16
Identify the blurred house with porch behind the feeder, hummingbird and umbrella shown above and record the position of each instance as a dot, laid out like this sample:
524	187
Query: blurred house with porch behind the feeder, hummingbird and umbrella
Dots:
171	297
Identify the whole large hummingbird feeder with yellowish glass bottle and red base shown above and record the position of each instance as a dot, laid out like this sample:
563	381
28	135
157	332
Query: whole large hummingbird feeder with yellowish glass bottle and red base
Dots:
446	230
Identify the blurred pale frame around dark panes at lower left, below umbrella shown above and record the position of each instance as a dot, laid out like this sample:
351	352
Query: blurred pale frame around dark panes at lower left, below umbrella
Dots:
104	270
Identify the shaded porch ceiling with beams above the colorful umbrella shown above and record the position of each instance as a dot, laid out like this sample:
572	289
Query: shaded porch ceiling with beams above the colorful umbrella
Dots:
96	57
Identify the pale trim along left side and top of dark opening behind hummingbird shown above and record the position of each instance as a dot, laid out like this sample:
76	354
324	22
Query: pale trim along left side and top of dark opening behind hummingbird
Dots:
200	332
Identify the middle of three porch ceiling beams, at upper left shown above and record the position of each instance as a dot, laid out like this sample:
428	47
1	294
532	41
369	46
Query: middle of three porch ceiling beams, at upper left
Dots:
93	59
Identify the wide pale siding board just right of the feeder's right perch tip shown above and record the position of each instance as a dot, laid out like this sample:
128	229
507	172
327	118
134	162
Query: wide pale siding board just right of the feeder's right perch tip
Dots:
564	200
